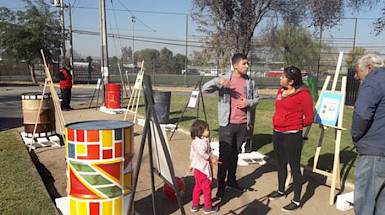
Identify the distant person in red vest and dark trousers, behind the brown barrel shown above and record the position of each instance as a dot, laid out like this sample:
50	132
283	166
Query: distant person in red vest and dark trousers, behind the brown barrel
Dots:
65	87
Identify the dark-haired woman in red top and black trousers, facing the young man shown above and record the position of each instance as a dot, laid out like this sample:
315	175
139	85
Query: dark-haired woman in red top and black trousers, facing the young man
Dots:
293	112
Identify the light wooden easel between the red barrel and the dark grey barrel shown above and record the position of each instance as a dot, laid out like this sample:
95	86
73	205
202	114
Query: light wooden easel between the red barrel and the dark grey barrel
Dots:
135	96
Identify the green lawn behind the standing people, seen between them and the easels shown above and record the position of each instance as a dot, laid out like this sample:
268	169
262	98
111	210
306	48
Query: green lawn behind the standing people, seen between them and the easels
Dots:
262	138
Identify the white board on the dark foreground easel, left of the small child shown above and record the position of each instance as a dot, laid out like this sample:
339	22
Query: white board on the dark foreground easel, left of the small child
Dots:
160	157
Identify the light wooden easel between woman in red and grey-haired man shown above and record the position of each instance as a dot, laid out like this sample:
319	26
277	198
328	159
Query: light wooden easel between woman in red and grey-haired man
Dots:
335	173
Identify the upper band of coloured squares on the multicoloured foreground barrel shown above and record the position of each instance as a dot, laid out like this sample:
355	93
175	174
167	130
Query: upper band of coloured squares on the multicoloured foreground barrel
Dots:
98	144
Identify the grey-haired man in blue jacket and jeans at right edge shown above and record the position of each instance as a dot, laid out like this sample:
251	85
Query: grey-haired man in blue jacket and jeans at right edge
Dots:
368	134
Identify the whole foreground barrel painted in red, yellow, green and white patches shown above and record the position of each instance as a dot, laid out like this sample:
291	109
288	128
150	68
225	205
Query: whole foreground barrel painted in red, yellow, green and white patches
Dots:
99	166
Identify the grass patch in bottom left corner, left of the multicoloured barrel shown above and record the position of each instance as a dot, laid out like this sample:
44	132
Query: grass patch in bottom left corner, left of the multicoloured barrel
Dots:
21	189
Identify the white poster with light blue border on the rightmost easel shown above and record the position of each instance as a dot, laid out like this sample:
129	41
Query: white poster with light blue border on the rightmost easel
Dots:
328	109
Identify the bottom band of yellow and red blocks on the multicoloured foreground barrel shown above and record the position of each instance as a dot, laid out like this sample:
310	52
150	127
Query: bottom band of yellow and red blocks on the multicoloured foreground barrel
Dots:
100	207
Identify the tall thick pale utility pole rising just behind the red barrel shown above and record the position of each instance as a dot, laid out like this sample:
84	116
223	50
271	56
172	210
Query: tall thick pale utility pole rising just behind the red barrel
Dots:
103	43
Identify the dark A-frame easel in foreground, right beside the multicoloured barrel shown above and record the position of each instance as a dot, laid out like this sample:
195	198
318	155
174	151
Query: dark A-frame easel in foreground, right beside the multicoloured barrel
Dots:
151	116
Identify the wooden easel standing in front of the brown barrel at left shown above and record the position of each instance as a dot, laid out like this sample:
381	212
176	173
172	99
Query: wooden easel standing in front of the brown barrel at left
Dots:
58	112
